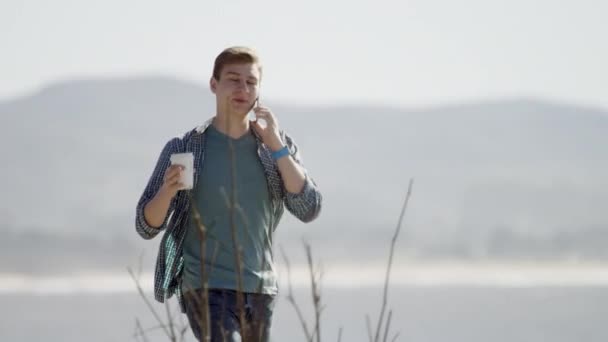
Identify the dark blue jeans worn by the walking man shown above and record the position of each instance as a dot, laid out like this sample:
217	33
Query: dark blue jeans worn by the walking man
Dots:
224	315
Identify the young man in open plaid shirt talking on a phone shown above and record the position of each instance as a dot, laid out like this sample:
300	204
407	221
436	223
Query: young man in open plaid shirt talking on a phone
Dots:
218	235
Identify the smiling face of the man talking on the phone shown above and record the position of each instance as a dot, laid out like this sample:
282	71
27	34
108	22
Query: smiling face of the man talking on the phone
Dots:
237	88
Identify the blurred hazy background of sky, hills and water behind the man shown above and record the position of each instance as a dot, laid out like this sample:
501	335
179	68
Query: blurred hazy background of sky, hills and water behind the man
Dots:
498	110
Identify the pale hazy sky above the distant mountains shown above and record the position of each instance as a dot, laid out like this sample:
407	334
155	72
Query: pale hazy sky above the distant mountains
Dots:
392	52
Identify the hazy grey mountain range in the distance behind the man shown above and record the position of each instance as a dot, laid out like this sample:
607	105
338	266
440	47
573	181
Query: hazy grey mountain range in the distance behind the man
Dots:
516	178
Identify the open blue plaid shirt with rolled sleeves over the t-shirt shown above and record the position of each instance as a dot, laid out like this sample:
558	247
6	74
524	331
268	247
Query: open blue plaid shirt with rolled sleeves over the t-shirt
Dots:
305	205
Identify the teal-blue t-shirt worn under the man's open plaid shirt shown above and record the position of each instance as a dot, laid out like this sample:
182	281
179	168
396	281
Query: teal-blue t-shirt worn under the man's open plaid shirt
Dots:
252	218
